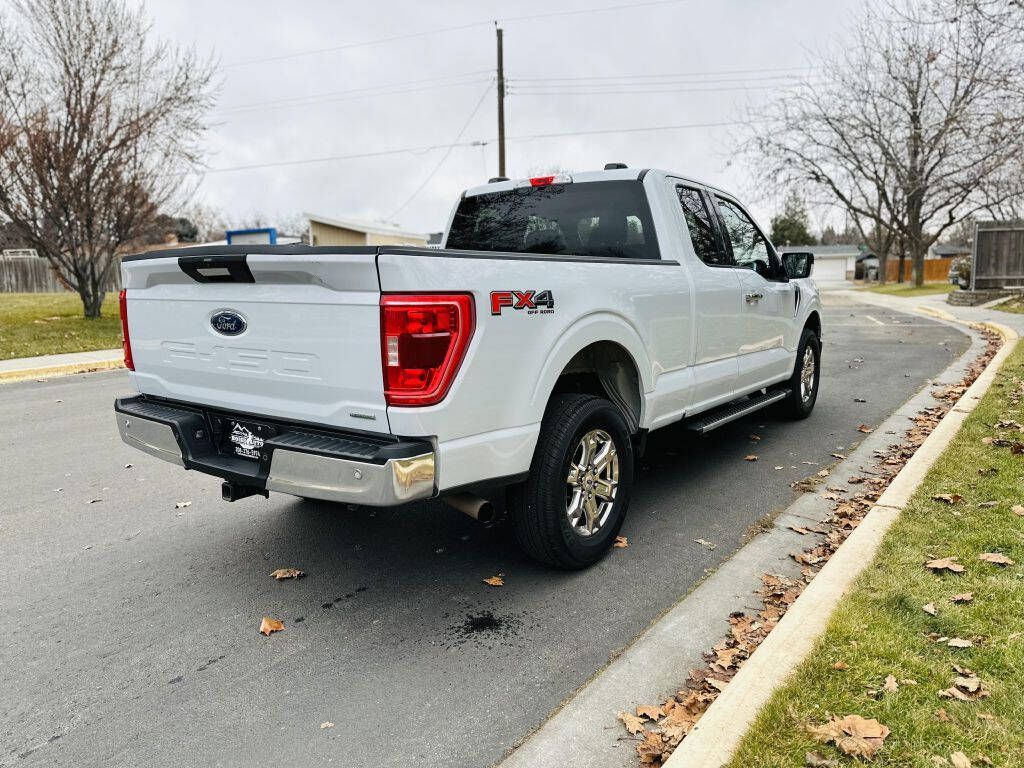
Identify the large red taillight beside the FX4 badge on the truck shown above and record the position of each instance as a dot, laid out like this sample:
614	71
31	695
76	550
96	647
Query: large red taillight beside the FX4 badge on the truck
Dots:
423	342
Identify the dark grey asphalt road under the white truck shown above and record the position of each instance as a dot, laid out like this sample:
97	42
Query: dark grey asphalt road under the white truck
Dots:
129	628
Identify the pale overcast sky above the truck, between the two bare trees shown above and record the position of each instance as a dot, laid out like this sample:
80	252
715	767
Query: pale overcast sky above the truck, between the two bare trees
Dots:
578	72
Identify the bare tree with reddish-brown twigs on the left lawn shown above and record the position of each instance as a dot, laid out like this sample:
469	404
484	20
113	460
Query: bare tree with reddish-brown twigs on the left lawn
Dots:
100	127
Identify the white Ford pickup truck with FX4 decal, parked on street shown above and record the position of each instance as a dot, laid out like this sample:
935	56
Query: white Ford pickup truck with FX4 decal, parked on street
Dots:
563	319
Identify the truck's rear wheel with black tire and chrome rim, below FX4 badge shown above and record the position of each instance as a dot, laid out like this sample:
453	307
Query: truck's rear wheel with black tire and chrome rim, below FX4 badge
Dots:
572	506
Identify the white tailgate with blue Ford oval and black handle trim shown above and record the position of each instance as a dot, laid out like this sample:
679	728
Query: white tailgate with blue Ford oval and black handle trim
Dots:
293	335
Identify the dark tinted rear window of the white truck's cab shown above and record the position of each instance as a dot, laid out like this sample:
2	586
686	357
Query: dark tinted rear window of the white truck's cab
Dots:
598	219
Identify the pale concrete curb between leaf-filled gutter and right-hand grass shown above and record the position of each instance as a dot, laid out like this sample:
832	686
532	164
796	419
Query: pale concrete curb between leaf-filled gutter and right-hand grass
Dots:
717	736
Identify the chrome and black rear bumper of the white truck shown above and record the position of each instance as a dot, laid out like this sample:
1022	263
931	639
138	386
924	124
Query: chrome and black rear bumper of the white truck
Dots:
296	459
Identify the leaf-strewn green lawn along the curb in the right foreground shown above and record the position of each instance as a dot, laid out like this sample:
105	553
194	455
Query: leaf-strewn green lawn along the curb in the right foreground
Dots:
880	628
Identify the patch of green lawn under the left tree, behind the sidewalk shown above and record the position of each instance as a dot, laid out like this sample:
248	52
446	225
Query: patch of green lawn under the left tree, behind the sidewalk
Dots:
34	324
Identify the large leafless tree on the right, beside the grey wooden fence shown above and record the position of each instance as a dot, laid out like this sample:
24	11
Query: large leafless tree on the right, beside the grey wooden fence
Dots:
916	125
